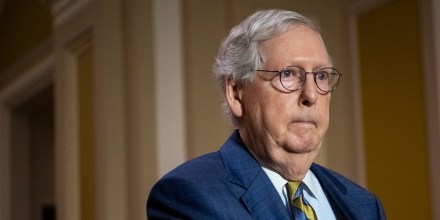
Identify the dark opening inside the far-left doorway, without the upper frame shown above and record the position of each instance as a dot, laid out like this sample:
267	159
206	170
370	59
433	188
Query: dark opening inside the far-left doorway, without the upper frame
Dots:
32	158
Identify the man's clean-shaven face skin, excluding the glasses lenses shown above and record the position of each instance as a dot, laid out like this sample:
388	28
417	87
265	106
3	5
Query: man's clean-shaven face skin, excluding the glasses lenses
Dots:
275	122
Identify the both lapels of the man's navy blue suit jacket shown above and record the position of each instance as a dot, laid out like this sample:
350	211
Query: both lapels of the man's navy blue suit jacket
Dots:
257	191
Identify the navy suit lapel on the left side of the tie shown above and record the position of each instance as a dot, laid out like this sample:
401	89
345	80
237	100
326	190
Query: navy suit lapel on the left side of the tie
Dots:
256	190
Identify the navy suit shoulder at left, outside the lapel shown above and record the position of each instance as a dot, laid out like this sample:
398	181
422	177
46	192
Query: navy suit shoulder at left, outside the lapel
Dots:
197	189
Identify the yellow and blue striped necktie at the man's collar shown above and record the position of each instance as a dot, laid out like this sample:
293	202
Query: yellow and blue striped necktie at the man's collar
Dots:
300	208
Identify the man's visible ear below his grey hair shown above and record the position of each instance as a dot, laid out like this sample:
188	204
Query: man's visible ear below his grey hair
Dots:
233	97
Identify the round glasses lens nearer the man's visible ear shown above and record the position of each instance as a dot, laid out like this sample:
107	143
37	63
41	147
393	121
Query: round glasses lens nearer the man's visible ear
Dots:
292	78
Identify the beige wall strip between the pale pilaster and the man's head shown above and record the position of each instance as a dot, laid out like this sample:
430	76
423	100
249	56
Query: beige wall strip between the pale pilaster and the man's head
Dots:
204	27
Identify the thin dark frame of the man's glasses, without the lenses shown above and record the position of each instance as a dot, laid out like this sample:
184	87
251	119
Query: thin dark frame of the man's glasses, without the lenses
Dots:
335	72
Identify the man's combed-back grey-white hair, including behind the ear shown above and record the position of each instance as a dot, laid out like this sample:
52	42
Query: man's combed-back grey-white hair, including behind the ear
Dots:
238	55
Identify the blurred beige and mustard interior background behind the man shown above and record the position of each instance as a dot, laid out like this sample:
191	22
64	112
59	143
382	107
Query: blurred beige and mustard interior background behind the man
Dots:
100	98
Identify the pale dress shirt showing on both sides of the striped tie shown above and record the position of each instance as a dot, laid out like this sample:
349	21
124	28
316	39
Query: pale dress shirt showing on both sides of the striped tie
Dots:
313	193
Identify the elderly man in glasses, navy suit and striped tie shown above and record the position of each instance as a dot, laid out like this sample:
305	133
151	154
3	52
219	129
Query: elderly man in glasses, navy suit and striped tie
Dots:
277	79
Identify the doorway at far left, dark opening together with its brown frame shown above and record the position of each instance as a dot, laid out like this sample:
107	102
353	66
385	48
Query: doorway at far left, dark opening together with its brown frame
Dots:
27	142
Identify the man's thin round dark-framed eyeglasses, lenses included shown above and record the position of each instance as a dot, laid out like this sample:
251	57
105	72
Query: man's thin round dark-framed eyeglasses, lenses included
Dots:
293	78
